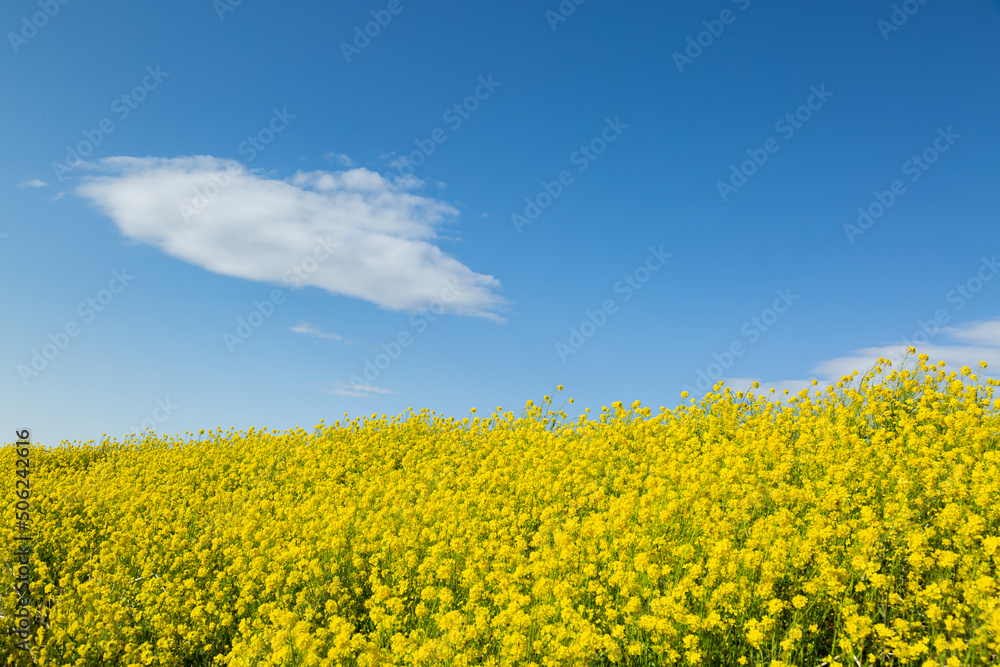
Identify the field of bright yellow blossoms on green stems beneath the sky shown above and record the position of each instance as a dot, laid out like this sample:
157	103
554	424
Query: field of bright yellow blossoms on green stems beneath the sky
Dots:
853	527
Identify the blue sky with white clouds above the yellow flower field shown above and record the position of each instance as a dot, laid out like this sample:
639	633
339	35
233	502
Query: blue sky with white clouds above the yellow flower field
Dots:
263	214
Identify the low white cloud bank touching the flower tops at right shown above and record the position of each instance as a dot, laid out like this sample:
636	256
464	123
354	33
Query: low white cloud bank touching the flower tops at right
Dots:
964	345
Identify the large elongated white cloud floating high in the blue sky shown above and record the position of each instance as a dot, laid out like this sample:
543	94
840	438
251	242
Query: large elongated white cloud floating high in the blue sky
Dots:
373	238
